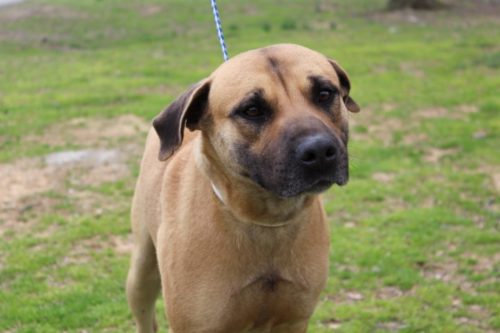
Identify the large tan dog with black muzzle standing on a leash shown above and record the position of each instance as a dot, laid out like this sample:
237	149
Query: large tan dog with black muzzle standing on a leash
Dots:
228	221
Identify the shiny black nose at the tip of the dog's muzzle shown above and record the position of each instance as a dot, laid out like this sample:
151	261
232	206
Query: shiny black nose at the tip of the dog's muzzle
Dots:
317	151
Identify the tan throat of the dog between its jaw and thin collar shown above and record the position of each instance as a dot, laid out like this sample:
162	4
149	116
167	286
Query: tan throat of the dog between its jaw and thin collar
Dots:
244	199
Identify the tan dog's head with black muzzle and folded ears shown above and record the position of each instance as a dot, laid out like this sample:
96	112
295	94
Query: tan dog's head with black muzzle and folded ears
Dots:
276	116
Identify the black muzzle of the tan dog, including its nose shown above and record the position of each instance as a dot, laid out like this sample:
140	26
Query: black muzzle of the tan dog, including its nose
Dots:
308	163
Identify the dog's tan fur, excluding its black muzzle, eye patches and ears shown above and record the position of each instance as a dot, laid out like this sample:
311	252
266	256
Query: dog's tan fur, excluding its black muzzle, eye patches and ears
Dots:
218	268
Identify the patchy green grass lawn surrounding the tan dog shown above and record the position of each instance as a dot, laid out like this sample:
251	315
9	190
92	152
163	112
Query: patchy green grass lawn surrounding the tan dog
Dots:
414	236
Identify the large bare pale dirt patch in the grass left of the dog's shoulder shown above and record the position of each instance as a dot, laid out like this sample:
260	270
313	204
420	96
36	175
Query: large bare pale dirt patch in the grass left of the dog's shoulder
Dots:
35	187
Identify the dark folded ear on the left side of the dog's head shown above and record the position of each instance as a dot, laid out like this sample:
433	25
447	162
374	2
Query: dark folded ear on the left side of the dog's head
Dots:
185	111
